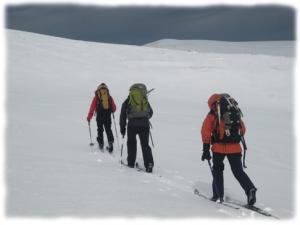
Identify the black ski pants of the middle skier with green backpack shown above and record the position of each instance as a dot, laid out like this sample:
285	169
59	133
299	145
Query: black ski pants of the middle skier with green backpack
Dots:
143	133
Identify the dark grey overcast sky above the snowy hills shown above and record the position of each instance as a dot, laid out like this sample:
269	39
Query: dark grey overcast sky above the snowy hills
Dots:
141	25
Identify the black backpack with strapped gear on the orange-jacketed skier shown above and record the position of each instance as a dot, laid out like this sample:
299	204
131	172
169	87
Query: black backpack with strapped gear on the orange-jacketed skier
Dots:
228	123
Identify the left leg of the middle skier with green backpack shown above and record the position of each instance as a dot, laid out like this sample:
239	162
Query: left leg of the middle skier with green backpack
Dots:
131	146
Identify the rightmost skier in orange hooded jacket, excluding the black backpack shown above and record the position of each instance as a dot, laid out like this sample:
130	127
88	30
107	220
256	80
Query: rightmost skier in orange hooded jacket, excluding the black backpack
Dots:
220	150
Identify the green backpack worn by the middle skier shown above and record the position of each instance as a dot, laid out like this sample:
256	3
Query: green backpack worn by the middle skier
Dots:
138	102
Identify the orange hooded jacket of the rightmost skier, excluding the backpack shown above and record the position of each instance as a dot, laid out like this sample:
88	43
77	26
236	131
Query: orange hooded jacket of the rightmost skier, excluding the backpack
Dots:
207	129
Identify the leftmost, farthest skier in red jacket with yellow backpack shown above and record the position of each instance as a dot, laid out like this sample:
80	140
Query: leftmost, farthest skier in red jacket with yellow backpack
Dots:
104	106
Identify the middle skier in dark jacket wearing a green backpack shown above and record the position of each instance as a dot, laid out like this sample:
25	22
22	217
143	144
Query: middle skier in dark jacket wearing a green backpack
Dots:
138	111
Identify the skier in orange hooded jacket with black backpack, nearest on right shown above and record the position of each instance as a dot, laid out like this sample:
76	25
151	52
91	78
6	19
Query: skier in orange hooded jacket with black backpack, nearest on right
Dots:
225	142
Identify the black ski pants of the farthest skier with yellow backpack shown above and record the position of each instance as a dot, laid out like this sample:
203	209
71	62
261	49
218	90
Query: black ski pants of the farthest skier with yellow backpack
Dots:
104	122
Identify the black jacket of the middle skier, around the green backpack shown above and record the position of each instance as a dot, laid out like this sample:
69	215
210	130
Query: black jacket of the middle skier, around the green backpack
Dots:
135	122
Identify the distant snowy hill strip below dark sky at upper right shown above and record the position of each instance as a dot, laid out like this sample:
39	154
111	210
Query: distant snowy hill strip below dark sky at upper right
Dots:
276	48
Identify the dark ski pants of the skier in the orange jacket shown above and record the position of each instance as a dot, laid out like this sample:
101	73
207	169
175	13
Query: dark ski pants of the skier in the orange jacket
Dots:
237	170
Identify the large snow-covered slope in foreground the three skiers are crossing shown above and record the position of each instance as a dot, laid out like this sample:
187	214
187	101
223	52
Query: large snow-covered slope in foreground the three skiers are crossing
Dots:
52	171
